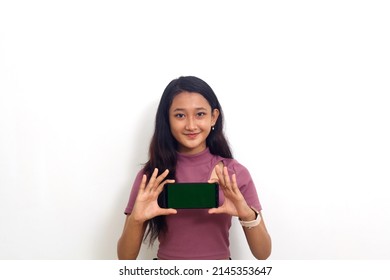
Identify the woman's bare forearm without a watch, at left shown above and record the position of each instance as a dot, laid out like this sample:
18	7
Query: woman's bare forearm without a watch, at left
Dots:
130	242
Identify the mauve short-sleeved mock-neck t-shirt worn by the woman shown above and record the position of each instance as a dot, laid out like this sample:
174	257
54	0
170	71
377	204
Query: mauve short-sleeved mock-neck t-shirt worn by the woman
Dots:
193	233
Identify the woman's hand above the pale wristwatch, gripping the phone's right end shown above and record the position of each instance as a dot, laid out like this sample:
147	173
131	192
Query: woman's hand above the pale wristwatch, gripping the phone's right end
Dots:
234	204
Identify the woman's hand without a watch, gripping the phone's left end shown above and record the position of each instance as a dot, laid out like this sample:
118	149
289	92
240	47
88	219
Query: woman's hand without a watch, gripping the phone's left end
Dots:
146	206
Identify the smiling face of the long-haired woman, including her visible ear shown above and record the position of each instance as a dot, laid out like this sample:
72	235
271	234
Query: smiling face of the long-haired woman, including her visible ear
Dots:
191	119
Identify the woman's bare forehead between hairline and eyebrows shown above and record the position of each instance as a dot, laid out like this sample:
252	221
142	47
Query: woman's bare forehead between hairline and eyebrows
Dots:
189	100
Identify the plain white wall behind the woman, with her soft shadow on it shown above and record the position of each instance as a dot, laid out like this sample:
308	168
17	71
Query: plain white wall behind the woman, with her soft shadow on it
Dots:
305	90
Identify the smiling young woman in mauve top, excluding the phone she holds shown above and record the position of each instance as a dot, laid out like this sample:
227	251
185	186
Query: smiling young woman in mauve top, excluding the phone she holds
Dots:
189	145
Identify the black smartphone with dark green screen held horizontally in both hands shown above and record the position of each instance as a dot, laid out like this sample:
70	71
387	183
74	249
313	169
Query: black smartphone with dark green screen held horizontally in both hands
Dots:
189	196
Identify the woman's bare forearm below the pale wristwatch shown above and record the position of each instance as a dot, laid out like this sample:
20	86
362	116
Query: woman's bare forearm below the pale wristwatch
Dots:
259	240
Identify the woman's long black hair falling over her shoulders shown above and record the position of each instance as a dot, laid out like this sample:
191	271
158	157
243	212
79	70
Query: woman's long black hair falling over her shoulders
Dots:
163	146
